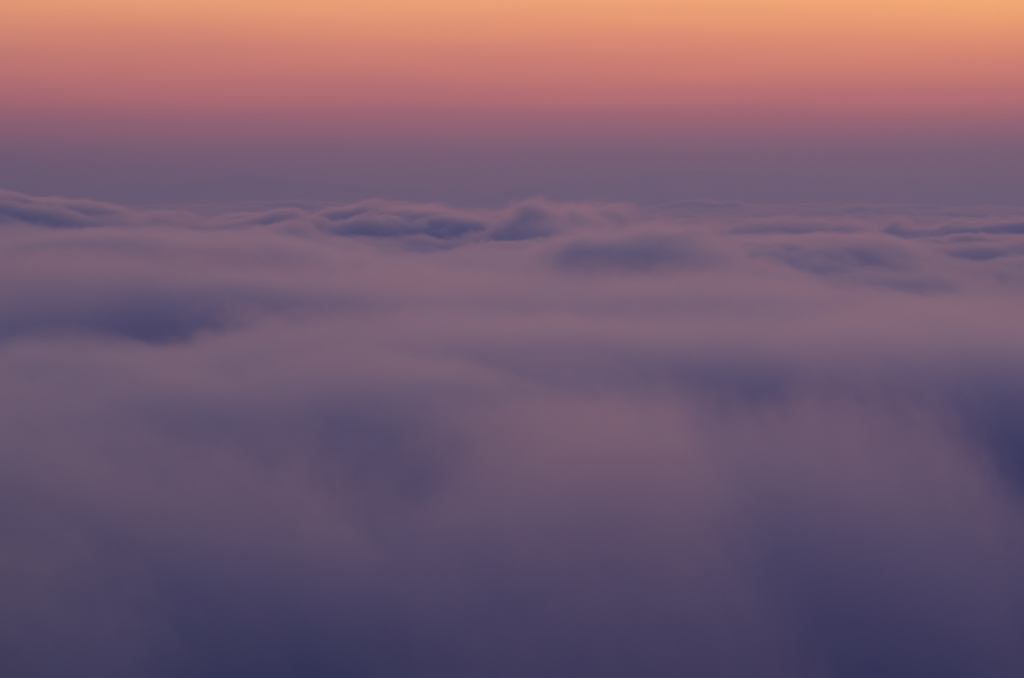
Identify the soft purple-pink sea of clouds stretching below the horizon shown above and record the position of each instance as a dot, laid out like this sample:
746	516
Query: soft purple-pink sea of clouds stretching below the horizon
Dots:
553	440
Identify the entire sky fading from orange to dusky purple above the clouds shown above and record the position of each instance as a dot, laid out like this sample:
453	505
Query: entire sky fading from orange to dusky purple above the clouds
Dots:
563	75
